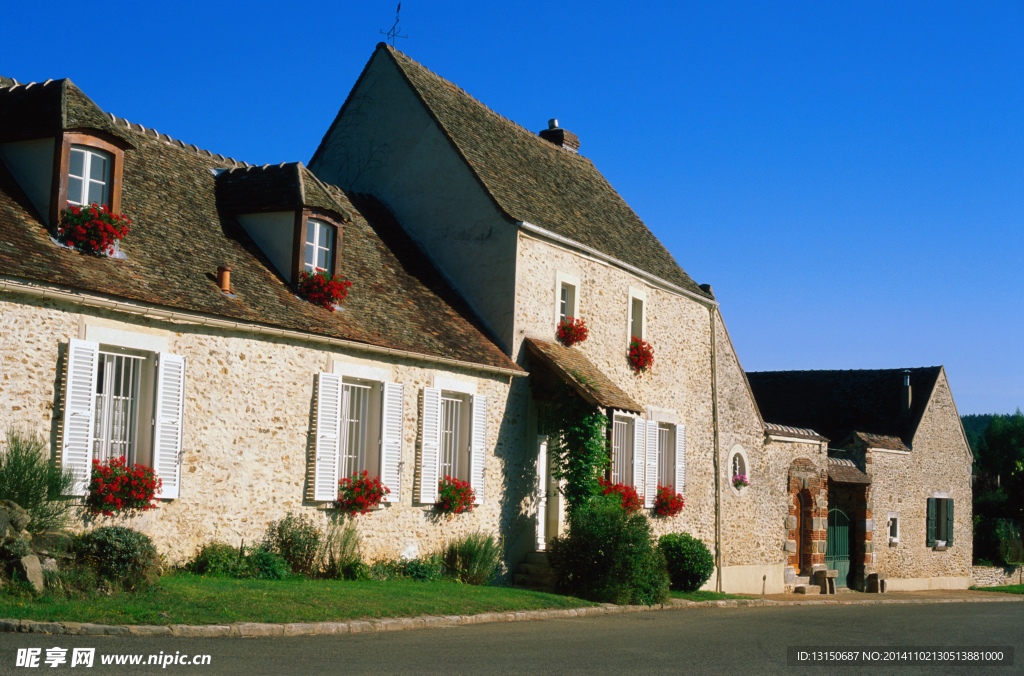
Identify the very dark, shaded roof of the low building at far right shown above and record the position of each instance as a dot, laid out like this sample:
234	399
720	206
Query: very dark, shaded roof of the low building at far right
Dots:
837	403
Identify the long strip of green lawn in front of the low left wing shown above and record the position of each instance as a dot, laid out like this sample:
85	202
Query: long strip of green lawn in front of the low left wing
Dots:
187	599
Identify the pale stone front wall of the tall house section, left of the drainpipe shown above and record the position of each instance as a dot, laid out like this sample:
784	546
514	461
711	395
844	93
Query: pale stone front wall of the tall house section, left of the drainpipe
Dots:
679	330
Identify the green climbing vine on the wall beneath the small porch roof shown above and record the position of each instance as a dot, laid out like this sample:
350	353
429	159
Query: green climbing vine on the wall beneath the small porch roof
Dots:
578	447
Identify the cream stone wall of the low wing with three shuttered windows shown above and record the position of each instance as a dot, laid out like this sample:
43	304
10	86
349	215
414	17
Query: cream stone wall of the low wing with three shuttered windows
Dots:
247	428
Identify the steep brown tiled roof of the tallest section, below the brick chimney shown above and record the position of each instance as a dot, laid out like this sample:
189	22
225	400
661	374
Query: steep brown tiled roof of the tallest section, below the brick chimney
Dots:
532	180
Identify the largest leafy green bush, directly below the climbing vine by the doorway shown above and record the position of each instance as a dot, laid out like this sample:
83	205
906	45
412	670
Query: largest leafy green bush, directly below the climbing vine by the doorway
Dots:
610	556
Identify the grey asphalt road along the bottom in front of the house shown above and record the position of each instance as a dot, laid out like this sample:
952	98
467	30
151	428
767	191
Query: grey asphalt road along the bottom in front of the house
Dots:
697	642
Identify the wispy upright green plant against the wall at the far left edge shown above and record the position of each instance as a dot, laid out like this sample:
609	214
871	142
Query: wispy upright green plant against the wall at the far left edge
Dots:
28	478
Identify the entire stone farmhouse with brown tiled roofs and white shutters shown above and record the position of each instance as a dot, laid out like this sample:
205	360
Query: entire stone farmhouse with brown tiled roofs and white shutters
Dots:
467	239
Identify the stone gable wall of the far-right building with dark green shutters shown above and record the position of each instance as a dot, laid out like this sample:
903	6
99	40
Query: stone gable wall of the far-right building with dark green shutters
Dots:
940	462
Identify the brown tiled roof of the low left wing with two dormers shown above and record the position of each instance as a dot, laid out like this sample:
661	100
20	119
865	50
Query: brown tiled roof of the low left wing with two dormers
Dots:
181	236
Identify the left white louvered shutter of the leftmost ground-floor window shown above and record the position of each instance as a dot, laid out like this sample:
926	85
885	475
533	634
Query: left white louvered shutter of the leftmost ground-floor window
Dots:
80	412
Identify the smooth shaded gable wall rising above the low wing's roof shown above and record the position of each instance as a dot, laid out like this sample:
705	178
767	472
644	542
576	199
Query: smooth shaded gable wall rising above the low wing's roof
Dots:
388	145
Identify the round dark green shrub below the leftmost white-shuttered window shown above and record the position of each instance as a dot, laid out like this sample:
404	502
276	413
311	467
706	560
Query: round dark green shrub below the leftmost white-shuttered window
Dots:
124	558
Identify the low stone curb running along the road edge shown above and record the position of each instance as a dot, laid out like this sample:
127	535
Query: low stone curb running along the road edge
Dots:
254	629
